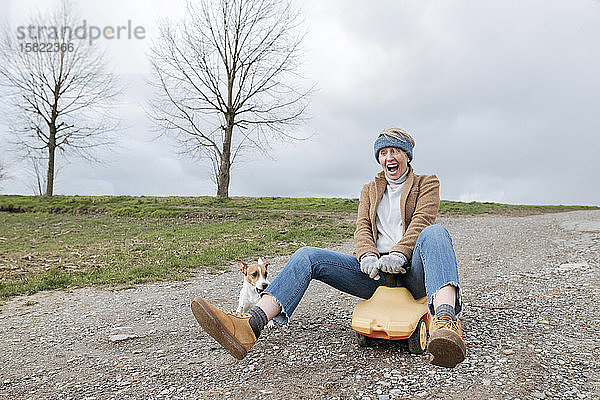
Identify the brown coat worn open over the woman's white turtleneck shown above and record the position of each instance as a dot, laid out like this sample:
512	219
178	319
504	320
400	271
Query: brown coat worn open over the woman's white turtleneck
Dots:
419	205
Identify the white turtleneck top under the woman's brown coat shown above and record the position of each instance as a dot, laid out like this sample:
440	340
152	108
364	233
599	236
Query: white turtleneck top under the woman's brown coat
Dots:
389	220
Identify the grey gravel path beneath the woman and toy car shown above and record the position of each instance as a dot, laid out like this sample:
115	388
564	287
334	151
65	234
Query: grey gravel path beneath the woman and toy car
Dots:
530	327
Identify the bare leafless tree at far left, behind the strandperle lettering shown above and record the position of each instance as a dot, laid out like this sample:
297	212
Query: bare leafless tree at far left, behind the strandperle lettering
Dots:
59	90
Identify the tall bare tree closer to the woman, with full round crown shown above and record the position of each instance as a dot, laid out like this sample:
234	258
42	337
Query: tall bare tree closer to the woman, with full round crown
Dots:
227	78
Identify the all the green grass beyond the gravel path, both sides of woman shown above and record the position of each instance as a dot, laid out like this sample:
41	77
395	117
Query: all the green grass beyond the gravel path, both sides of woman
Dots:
67	241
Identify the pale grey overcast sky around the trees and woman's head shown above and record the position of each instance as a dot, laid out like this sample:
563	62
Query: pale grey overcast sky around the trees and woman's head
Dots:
502	98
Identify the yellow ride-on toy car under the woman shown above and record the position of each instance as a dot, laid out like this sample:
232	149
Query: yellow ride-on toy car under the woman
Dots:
392	313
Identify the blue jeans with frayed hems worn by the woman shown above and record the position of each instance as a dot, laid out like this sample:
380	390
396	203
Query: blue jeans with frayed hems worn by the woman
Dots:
433	265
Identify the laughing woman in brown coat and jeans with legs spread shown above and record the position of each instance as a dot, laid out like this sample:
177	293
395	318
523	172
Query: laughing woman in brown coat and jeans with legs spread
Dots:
395	239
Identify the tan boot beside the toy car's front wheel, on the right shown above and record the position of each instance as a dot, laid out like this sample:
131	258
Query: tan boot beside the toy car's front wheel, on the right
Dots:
446	344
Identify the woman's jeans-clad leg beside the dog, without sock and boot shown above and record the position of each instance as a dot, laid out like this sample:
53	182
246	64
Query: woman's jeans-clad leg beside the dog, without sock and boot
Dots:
341	271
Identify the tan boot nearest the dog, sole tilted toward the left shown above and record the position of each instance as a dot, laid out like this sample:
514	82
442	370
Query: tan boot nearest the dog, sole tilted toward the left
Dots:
231	330
